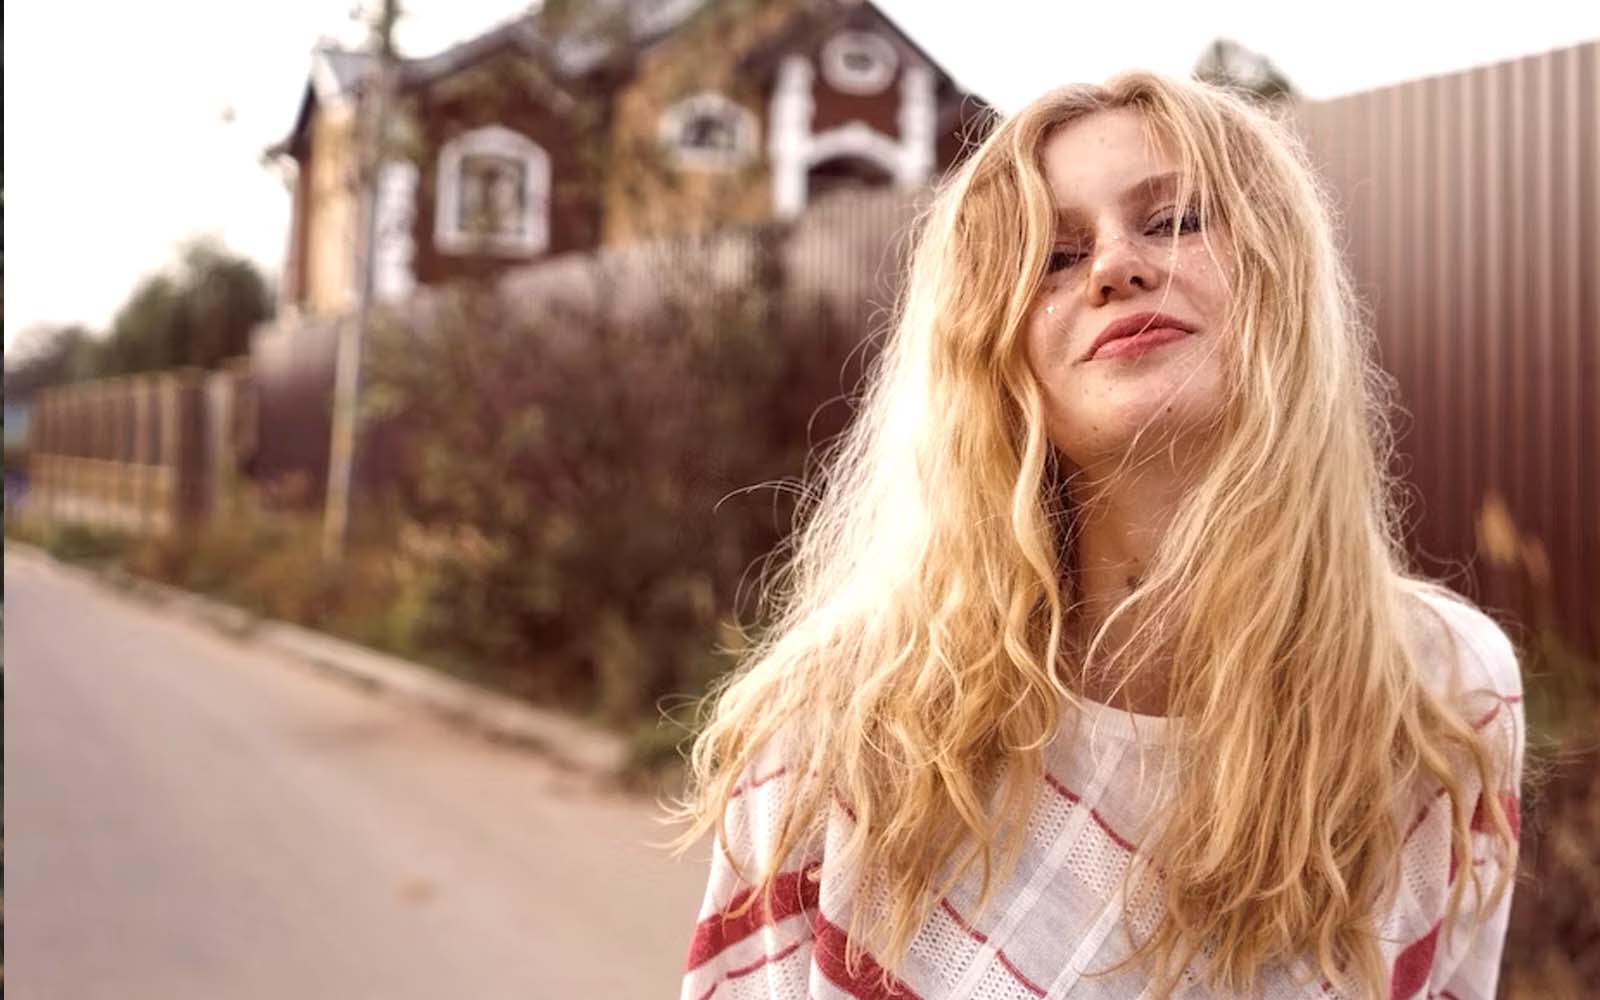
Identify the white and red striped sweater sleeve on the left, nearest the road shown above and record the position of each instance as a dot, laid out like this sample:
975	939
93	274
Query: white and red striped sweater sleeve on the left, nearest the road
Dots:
764	950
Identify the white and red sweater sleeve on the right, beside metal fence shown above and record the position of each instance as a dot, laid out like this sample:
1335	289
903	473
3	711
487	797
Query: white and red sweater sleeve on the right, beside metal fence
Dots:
1470	956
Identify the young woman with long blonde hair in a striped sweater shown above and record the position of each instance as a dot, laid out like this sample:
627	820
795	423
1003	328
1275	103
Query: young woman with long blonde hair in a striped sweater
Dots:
1097	670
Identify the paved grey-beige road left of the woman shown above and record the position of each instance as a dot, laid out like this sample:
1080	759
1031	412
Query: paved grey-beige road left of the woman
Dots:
186	817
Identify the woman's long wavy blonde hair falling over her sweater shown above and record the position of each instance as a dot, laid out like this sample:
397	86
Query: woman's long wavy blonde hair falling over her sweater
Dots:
914	662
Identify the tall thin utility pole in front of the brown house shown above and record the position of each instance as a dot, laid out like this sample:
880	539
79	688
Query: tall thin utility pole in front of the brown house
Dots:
348	370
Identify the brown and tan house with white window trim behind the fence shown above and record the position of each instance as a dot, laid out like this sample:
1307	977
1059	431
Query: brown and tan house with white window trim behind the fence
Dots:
642	121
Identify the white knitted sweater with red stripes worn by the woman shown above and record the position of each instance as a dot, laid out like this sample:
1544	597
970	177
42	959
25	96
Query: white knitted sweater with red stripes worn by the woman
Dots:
1060	918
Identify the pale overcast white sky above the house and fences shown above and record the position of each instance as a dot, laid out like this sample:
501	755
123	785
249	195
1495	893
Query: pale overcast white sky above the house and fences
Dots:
134	127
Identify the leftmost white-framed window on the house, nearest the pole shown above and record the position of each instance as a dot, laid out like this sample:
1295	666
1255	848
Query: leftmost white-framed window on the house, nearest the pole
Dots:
494	194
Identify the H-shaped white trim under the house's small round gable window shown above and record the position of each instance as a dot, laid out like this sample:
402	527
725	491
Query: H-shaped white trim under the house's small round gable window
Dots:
794	150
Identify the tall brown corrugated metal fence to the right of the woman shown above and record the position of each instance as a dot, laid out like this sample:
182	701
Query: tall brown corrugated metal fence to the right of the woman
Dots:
1473	214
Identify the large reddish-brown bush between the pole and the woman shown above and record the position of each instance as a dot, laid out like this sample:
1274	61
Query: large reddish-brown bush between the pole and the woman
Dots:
578	474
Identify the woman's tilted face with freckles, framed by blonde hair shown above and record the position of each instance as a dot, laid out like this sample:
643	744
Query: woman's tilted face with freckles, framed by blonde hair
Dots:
1113	260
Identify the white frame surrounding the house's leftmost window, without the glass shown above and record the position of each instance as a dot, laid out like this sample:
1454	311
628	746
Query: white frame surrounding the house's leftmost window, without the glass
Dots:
494	142
